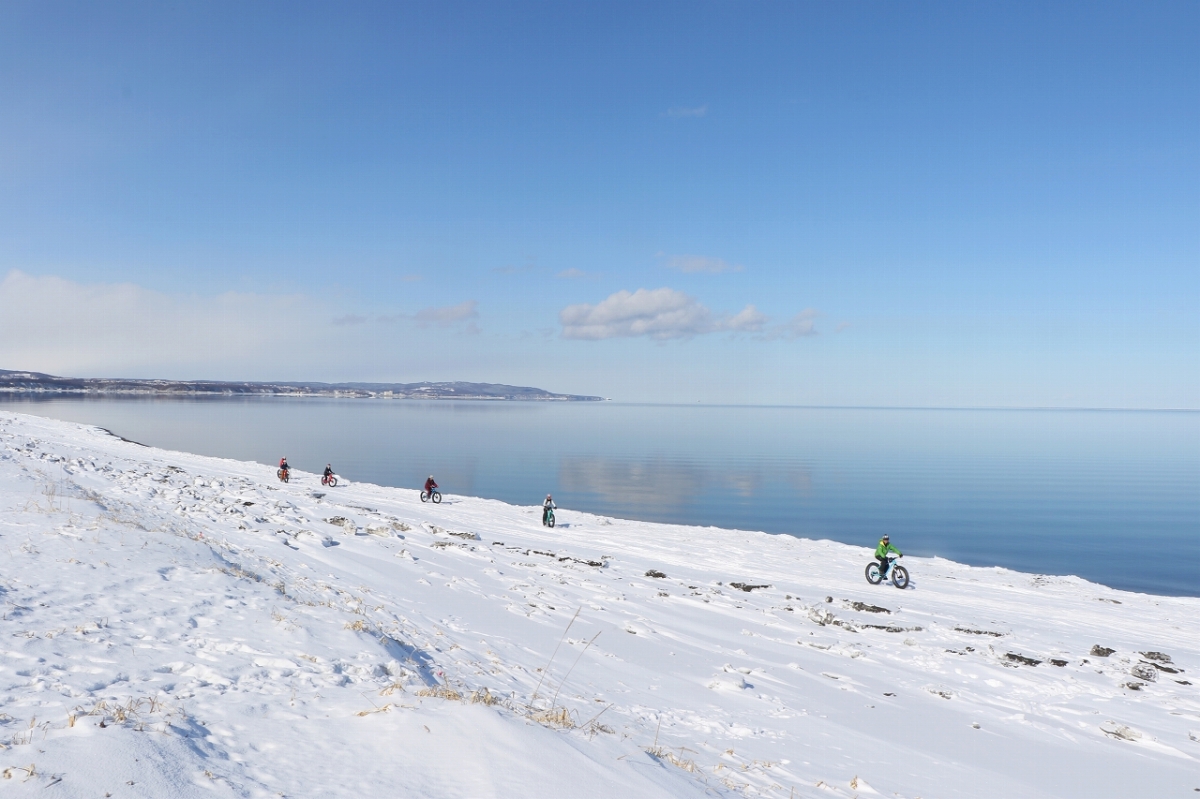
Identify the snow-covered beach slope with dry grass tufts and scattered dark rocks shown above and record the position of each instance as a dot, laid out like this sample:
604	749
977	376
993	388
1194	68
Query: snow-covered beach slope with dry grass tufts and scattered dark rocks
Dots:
178	626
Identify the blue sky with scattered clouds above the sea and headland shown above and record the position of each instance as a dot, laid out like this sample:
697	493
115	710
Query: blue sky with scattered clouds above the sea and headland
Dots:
947	205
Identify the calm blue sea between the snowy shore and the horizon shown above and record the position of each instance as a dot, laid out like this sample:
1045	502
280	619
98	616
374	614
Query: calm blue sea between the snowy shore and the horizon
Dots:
1109	496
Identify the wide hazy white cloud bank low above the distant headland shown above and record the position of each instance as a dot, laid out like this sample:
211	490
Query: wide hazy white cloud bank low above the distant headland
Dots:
61	327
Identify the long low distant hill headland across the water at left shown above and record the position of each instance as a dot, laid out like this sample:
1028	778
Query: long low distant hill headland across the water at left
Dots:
37	383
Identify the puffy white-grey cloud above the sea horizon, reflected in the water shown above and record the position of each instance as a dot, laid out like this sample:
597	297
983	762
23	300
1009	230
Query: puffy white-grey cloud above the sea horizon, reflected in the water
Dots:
657	314
